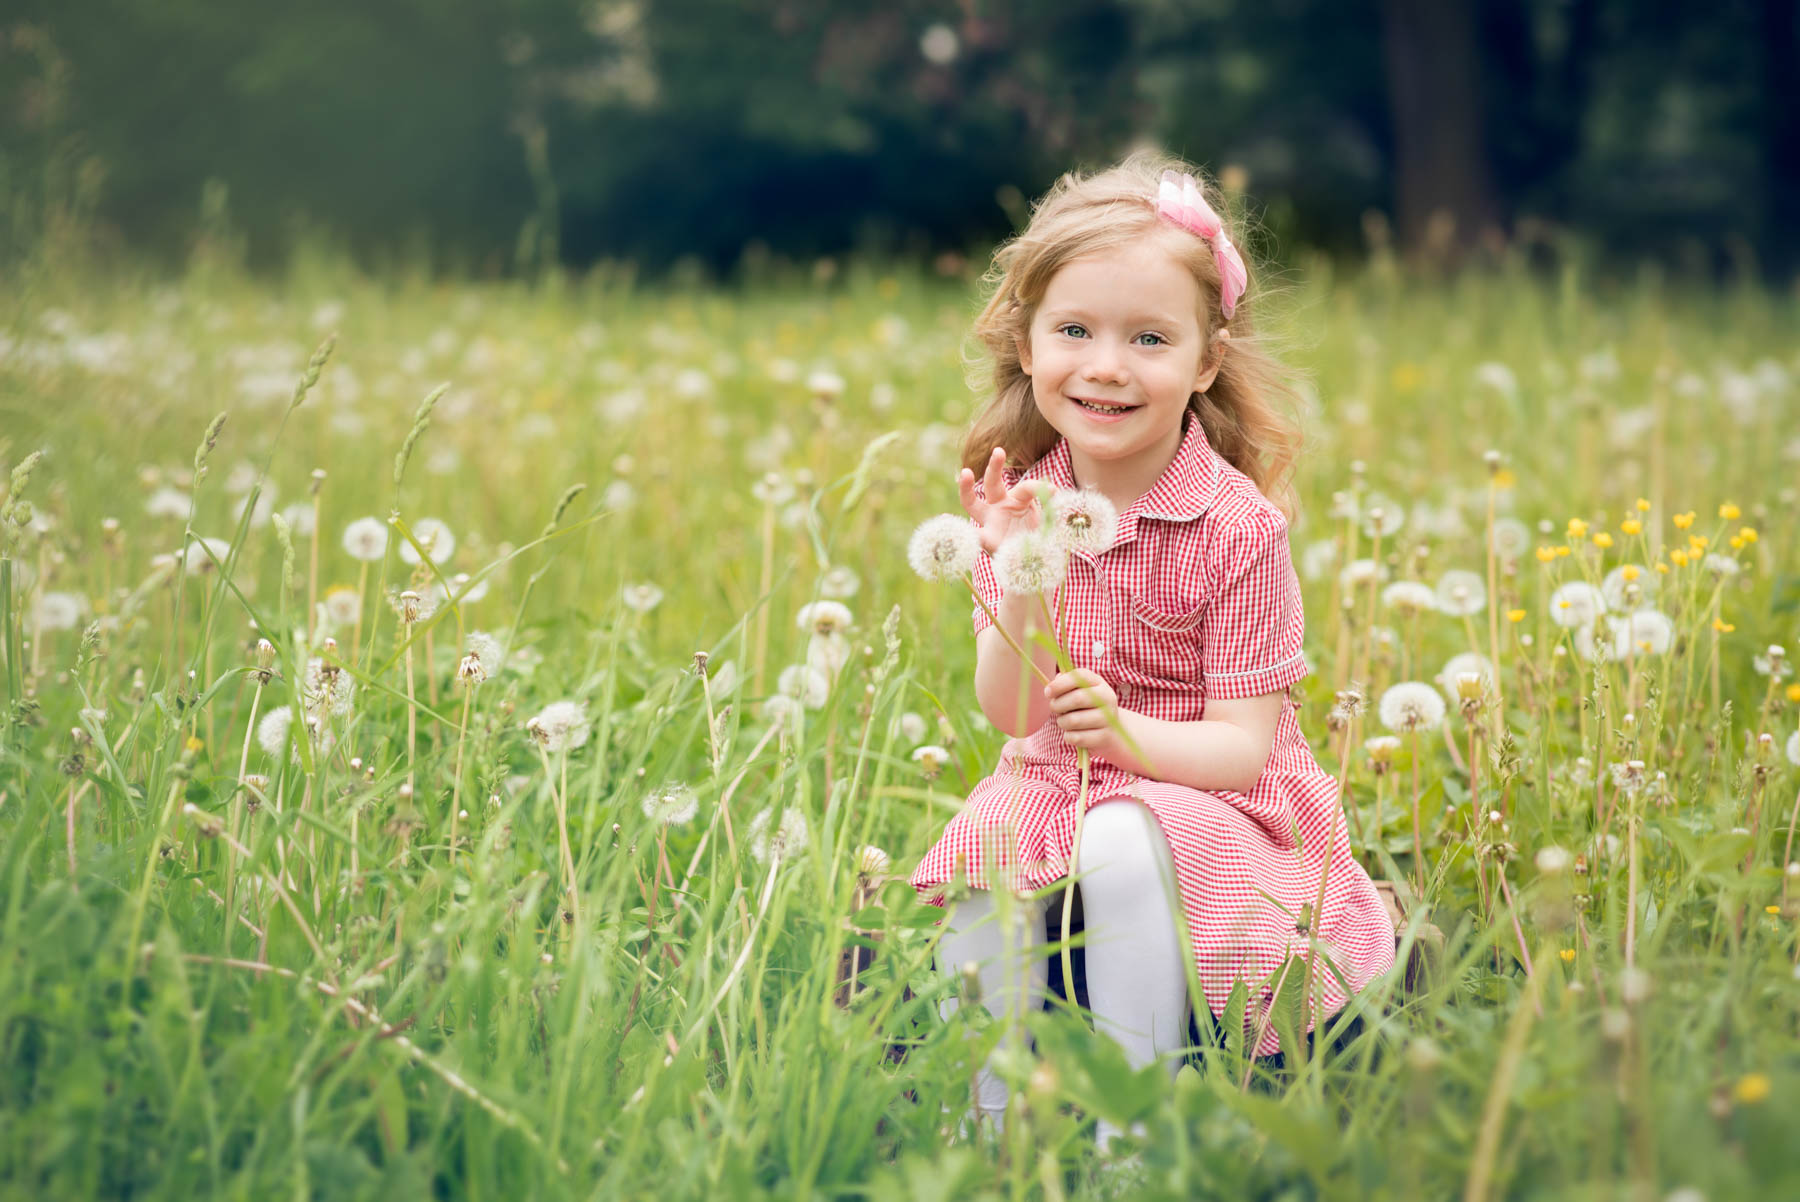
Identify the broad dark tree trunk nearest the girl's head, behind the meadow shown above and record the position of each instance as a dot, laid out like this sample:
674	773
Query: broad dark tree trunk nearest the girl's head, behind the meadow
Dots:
1444	188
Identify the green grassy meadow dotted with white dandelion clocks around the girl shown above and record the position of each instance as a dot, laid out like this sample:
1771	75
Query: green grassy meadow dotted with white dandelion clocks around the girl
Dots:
372	827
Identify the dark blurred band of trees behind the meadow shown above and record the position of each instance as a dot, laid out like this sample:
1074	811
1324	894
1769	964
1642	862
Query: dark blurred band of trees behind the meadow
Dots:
496	136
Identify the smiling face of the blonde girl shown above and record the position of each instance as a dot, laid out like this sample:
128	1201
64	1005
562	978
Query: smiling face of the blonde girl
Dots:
1115	354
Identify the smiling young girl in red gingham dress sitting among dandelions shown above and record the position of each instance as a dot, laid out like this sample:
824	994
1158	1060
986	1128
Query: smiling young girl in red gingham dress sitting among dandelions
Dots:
1126	363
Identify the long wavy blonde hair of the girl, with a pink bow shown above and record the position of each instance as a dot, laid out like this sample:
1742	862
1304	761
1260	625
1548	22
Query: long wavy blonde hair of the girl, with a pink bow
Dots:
1243	415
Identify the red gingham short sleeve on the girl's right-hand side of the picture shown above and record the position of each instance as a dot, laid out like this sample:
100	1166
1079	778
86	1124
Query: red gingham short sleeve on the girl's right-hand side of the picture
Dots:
1254	629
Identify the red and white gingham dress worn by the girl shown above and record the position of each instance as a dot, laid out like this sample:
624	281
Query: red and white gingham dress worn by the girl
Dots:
1196	598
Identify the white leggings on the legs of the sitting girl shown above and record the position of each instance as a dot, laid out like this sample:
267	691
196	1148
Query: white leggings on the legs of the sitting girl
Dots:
1137	974
